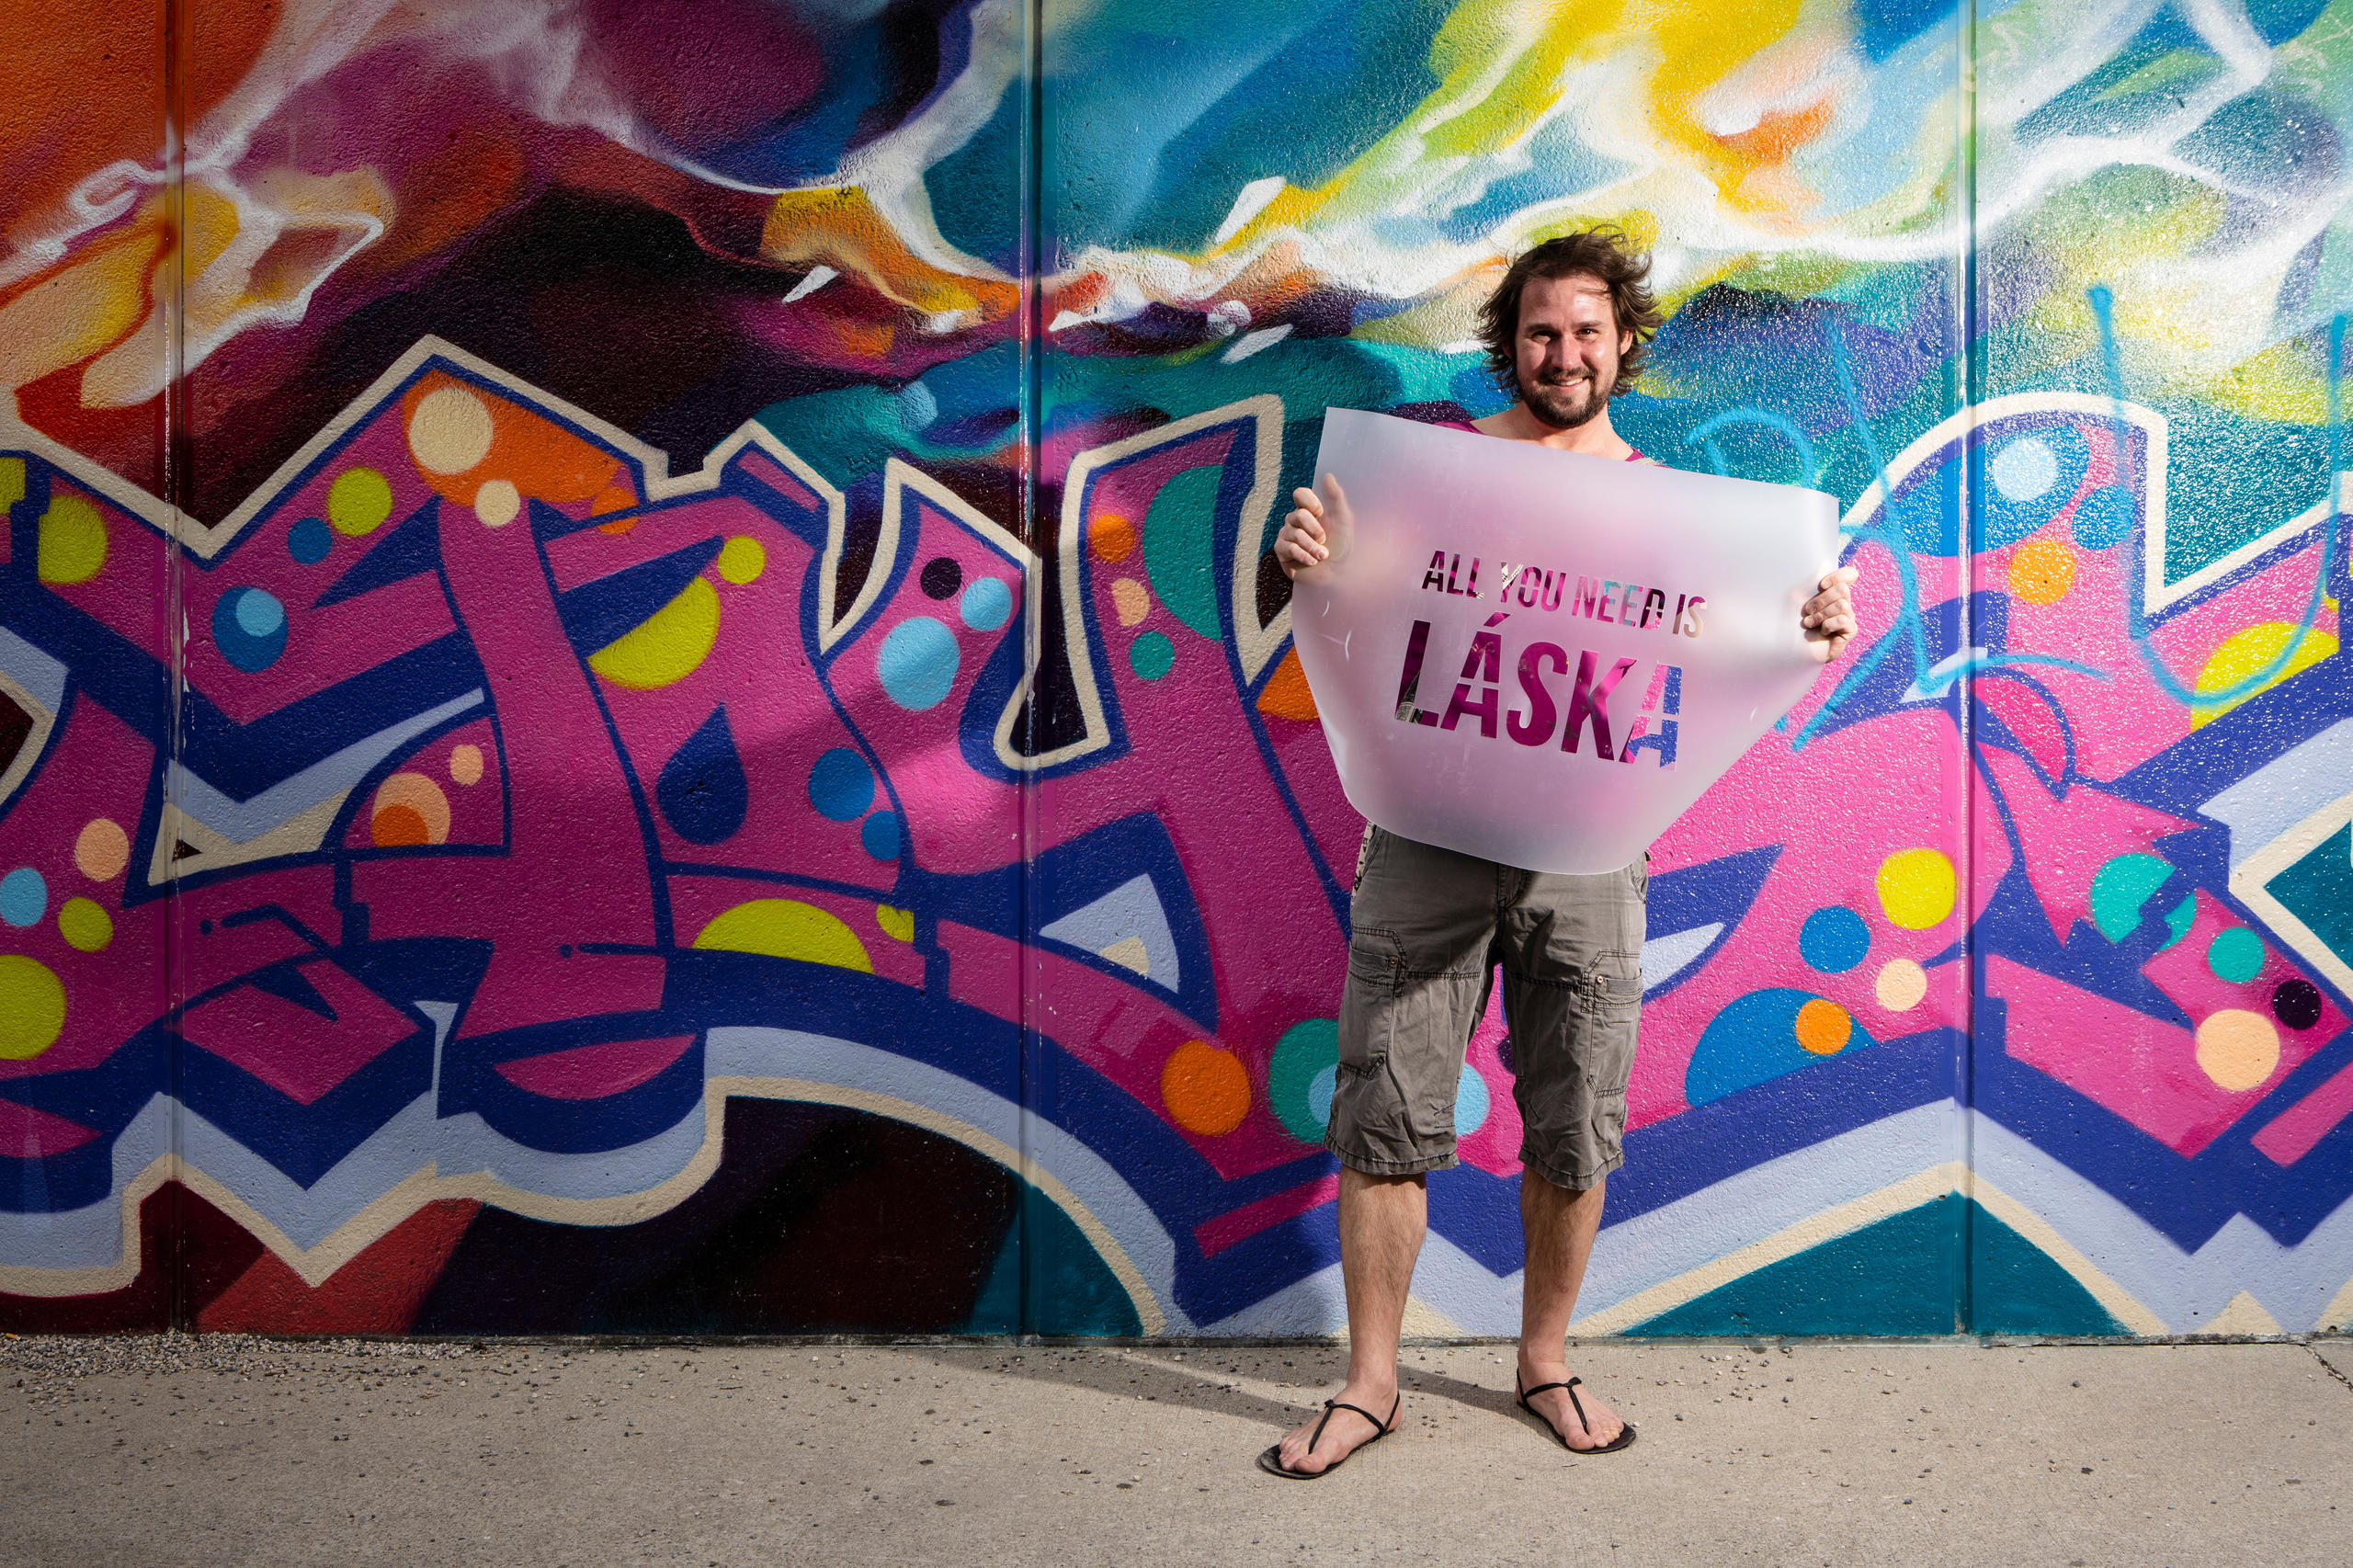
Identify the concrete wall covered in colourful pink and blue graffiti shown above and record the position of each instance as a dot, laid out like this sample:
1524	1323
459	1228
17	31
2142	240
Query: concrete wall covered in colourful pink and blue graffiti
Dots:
641	689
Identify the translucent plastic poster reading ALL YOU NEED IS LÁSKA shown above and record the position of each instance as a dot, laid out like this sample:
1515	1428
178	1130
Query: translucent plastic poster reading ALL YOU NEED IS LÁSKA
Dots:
1545	658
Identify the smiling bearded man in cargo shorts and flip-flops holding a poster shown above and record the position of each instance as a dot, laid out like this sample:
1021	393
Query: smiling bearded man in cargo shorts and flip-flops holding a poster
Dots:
1564	335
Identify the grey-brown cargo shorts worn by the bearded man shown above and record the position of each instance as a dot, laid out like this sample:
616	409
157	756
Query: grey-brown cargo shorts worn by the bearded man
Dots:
1429	934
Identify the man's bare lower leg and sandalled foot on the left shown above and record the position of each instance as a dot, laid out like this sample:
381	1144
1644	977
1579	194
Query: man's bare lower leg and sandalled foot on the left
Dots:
1380	1237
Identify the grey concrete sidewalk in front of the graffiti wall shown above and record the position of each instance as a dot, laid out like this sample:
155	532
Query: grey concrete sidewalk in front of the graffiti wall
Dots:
236	1451
